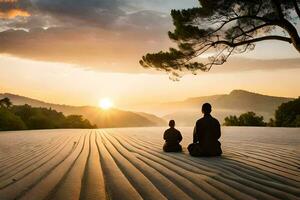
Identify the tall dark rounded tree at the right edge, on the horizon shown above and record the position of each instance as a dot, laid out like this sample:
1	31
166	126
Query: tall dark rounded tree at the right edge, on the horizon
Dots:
288	114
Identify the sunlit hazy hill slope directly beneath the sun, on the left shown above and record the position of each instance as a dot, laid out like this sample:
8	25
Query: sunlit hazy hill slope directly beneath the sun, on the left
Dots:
102	118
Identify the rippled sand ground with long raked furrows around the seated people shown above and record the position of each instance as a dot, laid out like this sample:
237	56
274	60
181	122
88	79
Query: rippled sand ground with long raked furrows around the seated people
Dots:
257	163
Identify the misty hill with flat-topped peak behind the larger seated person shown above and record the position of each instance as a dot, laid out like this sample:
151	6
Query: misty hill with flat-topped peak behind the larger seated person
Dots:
236	102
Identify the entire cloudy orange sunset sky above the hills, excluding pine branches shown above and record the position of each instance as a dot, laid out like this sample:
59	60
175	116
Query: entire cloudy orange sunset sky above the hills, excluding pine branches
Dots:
78	52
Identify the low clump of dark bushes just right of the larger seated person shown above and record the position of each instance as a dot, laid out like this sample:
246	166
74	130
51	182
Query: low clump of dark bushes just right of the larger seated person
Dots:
245	119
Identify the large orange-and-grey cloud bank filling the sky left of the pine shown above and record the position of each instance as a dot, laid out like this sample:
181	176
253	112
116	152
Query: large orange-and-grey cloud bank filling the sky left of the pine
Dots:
106	35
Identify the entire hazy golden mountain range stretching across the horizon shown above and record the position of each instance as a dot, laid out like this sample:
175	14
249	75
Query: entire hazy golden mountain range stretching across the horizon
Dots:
185	113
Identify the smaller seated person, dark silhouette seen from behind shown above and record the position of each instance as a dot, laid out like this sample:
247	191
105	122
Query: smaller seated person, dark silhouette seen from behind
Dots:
172	137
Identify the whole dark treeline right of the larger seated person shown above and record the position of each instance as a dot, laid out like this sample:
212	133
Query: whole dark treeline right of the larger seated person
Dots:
286	115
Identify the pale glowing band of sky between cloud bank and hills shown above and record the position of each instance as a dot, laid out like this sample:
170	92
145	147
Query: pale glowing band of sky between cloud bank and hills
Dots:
68	84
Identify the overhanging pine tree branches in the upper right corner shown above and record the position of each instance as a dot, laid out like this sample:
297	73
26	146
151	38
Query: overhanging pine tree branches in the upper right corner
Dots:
223	28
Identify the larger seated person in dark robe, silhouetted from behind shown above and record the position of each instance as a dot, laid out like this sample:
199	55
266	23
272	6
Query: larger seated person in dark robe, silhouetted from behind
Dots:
206	134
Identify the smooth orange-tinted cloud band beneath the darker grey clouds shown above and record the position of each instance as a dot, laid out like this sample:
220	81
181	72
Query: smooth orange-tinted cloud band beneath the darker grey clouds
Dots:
116	49
